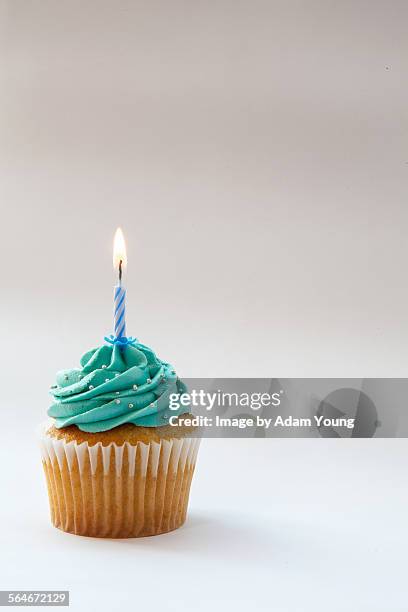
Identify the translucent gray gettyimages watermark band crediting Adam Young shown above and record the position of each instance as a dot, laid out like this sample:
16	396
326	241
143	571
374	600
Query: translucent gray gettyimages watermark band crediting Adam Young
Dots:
291	407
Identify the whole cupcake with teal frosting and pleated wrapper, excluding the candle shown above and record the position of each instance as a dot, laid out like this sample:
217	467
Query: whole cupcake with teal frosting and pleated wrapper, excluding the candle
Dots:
114	466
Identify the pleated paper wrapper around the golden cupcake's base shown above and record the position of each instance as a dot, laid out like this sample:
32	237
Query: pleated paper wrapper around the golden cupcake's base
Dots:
118	491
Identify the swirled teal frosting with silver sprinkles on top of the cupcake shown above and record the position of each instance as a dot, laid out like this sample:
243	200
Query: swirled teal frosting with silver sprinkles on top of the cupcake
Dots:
115	385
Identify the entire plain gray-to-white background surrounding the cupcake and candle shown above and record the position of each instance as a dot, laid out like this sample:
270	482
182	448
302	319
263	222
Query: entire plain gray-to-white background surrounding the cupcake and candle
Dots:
255	154
